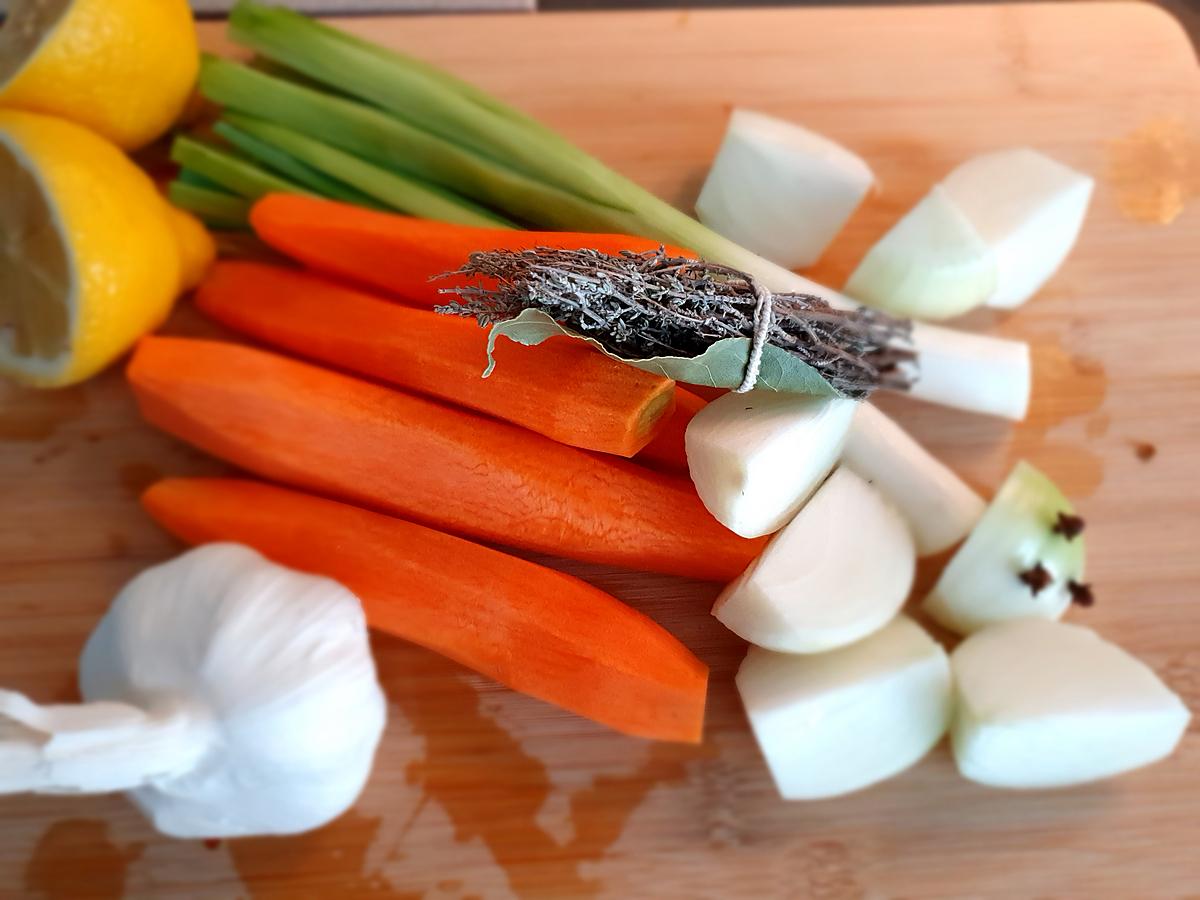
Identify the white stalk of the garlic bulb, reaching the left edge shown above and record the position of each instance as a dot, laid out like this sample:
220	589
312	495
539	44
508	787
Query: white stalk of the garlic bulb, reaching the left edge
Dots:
93	748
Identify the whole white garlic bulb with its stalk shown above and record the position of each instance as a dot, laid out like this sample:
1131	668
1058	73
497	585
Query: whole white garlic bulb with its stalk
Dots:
229	695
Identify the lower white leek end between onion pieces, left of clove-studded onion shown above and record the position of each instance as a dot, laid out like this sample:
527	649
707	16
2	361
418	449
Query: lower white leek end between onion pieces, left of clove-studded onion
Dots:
940	507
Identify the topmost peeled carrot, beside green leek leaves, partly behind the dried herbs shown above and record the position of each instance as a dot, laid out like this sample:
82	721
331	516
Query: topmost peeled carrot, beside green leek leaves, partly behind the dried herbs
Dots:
400	254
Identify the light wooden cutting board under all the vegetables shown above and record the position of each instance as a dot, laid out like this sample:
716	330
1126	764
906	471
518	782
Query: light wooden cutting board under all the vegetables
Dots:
484	794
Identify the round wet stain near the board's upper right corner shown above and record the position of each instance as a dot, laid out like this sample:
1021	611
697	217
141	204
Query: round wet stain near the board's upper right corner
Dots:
1155	171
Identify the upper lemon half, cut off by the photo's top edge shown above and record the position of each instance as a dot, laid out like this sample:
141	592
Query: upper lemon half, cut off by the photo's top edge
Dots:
123	68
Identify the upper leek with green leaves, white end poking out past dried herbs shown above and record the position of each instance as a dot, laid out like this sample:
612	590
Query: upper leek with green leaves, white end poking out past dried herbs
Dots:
437	128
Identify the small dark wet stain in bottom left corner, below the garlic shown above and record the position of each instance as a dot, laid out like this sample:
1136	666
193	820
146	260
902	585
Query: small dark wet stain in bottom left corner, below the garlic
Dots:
76	860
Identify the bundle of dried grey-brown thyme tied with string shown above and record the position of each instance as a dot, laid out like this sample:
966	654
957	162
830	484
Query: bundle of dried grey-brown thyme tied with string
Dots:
646	305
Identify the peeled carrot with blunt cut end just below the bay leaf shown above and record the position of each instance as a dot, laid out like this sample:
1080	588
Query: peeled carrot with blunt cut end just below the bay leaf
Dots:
563	389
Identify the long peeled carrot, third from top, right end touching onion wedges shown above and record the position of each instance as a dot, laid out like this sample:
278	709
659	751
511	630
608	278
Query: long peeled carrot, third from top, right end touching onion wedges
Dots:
339	436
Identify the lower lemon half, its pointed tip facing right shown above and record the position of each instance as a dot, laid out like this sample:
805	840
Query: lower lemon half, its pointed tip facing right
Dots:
92	256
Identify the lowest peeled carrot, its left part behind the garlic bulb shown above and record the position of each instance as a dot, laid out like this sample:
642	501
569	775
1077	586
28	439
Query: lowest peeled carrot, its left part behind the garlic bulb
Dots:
535	629
